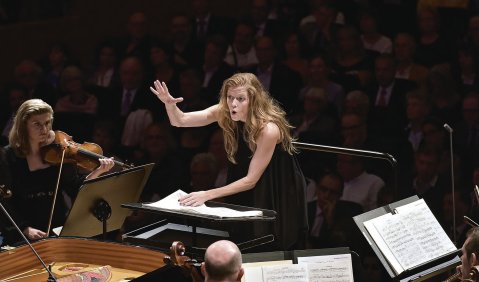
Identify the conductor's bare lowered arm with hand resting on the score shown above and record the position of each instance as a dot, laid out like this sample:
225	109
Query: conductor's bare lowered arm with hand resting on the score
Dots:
266	143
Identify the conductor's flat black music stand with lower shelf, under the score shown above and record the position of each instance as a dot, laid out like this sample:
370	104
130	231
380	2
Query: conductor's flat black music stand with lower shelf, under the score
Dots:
197	231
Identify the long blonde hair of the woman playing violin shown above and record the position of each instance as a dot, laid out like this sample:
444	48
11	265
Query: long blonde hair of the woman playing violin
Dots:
18	136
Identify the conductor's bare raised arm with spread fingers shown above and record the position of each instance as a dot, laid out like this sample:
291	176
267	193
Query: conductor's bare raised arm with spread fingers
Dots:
179	118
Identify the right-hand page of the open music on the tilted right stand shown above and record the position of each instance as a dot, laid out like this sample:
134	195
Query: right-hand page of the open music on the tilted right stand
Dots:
428	232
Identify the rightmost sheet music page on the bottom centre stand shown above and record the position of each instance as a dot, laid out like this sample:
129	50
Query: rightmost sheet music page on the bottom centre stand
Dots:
329	268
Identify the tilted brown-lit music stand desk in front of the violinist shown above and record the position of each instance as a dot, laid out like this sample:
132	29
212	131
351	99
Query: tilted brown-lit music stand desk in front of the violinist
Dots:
97	207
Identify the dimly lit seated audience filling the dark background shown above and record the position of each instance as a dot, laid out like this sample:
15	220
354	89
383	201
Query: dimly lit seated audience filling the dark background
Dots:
328	48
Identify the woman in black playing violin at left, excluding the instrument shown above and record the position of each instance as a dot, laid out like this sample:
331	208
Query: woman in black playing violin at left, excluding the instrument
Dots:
34	181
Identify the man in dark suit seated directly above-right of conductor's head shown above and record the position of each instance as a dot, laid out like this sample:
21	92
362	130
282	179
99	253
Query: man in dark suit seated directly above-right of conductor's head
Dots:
278	79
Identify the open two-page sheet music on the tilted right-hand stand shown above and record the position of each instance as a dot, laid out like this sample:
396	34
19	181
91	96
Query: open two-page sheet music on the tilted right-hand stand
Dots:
410	237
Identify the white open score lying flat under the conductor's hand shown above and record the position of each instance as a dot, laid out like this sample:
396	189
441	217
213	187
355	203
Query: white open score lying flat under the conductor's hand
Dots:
171	203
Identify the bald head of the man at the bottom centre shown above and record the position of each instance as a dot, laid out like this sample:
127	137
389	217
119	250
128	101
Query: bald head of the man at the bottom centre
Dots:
222	262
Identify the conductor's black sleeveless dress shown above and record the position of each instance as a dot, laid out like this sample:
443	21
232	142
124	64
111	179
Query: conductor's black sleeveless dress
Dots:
281	188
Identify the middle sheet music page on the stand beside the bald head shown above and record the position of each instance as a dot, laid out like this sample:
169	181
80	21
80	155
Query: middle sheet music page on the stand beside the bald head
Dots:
285	273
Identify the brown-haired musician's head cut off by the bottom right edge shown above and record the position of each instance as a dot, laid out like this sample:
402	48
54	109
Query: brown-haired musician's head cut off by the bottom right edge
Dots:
470	252
